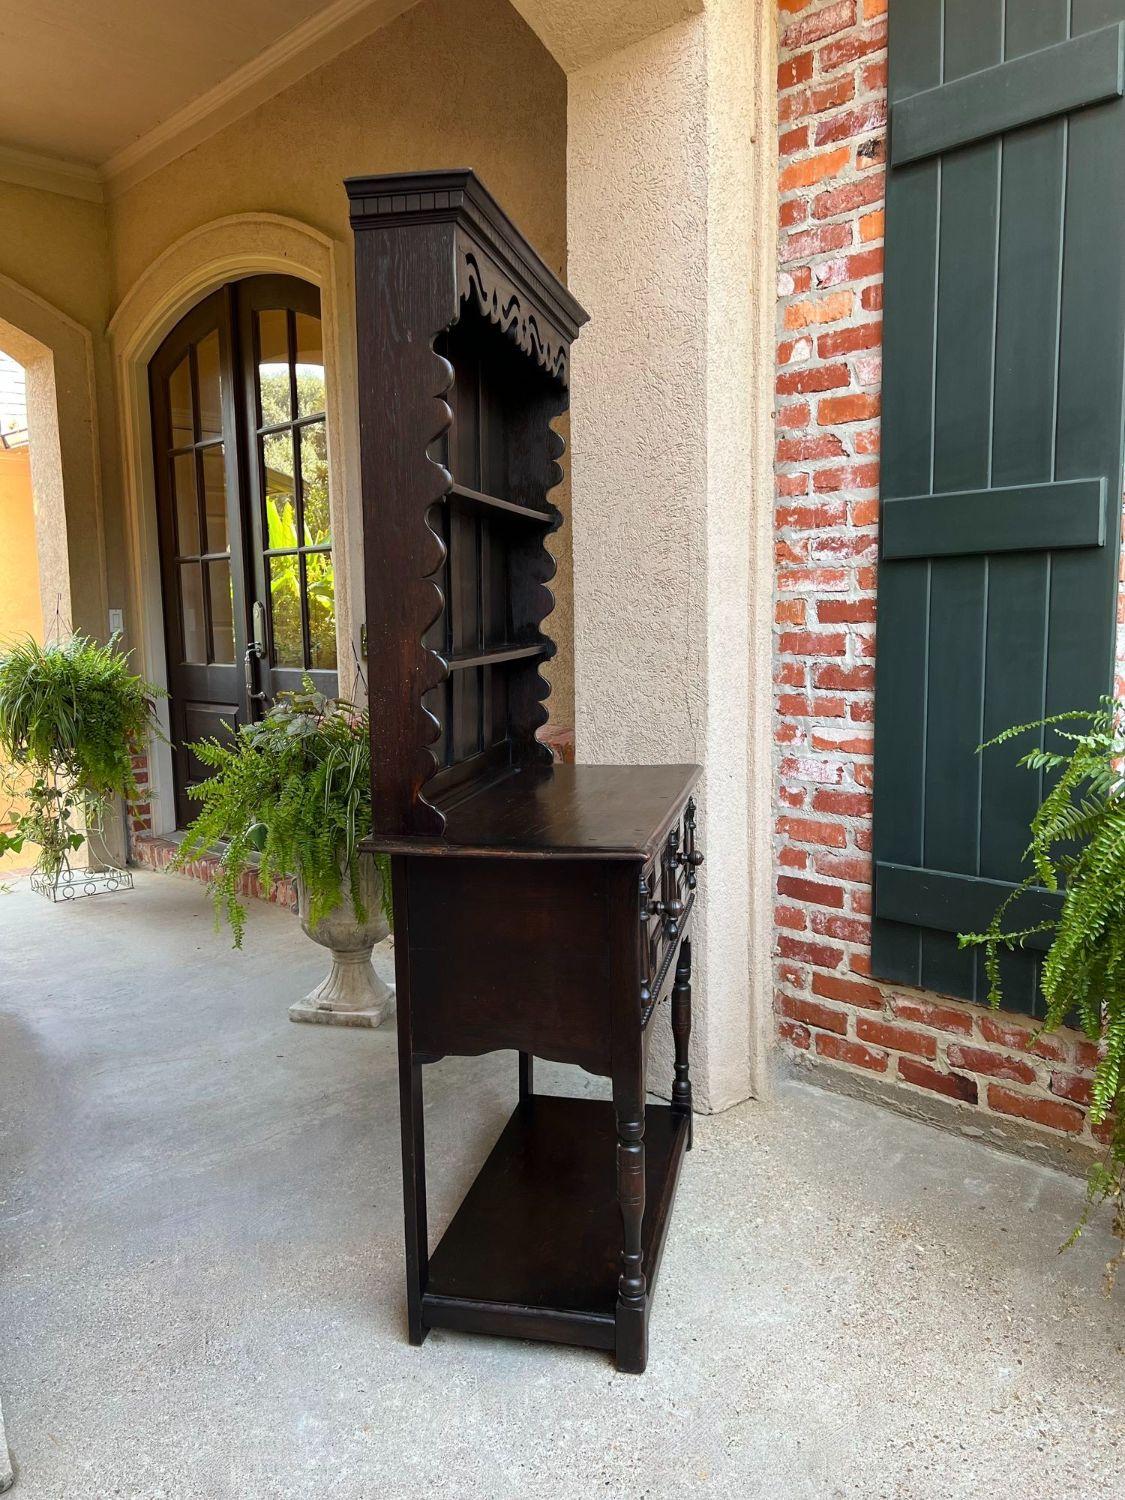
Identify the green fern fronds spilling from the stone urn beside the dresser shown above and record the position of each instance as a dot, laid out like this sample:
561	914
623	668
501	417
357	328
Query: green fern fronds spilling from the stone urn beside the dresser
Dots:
293	791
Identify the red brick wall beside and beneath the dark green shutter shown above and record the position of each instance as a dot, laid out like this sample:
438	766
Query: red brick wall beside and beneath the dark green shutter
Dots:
832	133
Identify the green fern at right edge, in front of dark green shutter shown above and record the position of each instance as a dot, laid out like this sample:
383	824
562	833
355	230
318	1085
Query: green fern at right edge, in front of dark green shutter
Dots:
1078	845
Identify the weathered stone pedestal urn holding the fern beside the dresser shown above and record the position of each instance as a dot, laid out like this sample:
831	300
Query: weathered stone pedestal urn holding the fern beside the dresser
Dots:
353	994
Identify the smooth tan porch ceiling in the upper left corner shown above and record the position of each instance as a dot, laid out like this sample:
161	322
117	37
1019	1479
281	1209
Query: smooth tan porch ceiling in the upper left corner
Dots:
86	79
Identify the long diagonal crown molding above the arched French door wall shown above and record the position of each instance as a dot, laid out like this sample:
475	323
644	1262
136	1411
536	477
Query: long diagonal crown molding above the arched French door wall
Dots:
307	47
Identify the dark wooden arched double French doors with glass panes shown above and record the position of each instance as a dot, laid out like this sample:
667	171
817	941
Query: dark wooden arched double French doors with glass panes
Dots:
242	485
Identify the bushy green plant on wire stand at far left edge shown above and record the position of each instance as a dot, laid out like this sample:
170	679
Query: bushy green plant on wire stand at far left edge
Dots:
71	715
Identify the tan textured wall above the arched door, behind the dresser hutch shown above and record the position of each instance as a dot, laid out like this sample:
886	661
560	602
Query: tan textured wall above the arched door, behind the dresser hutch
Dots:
446	85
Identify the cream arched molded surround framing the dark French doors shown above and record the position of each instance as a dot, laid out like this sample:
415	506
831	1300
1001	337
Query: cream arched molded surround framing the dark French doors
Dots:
209	257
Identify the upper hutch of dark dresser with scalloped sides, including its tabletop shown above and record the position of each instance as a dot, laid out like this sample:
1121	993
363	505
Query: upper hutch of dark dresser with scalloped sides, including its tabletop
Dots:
464	346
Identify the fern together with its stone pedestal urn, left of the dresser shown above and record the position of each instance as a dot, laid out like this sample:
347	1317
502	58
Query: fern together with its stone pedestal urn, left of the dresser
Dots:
292	796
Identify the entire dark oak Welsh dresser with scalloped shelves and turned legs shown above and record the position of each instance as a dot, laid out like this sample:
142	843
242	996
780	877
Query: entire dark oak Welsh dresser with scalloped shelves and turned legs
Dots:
538	908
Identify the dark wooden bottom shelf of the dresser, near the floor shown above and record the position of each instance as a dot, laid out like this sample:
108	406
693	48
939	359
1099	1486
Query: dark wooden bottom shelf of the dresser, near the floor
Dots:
535	1249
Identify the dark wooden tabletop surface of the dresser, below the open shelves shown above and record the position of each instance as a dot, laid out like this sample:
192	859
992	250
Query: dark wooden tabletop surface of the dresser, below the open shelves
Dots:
605	812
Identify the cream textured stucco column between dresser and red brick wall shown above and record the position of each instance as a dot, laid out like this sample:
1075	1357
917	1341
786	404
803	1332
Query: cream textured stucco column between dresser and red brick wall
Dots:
671	251
